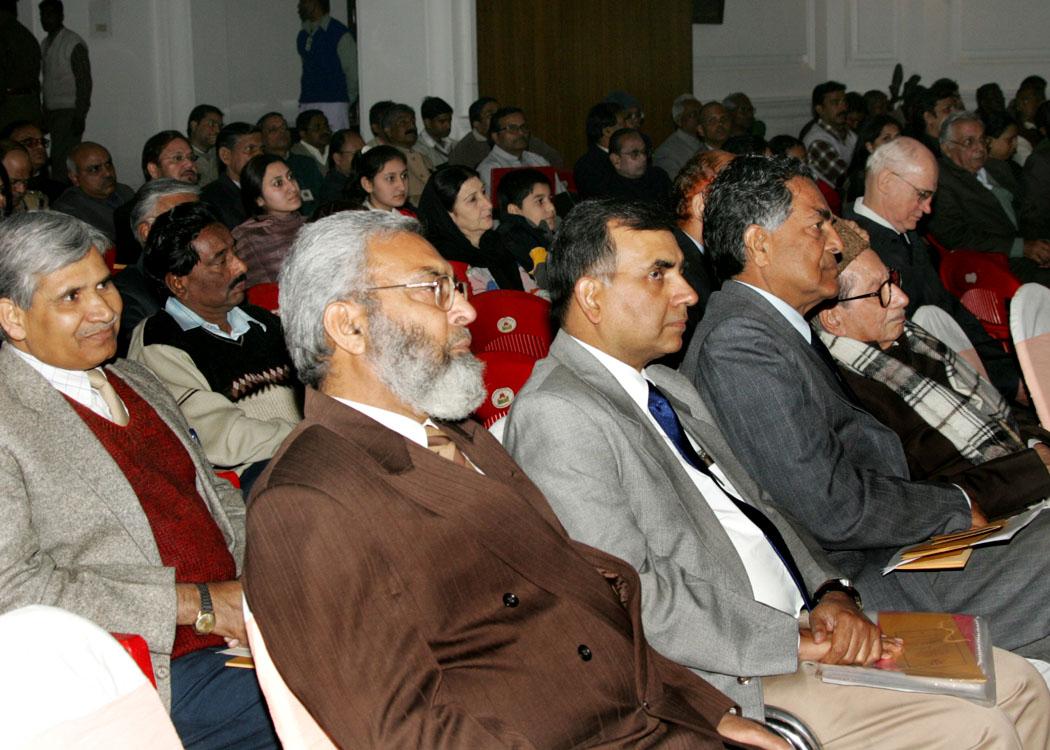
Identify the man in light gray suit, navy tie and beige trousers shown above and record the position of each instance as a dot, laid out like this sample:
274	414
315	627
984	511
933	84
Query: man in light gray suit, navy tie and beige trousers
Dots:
724	574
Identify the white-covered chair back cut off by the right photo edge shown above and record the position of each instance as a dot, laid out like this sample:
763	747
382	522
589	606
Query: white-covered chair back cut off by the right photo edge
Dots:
1031	327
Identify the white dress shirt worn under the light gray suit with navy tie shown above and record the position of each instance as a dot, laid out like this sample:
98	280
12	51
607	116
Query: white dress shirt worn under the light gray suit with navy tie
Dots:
770	581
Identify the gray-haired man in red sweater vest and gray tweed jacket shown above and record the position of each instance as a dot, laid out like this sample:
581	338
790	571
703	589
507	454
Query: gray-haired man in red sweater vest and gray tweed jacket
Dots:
111	508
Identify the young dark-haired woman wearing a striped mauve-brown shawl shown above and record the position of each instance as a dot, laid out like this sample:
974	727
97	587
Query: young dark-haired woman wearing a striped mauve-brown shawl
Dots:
270	196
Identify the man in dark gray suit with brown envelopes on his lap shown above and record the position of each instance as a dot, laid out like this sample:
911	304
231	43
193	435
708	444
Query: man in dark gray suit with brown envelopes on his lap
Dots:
800	432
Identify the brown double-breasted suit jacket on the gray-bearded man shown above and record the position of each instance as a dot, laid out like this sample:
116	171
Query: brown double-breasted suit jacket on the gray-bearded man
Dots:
410	602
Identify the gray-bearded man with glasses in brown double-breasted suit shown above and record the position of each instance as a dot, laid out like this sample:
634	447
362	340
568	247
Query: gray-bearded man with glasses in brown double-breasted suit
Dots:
437	598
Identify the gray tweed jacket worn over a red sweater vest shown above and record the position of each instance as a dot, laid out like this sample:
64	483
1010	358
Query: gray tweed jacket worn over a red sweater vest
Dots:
74	534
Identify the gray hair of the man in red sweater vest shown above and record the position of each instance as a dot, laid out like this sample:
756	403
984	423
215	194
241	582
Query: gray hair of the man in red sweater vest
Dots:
36	244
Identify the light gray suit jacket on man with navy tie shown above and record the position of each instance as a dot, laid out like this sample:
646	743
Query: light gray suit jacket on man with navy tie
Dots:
628	494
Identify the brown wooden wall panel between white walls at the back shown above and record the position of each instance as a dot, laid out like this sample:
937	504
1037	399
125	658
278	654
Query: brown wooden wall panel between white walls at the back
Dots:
557	58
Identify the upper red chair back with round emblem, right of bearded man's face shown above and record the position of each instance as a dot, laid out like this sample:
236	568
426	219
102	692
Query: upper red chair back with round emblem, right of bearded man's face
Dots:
511	322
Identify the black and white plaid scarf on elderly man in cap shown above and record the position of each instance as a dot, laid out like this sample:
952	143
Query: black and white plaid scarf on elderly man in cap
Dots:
972	414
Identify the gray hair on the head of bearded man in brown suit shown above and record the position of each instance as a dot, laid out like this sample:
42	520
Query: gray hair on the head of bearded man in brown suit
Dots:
328	263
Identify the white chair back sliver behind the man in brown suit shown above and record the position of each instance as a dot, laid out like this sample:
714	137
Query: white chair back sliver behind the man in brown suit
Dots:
296	727
